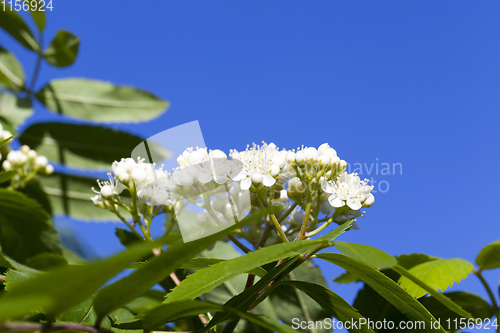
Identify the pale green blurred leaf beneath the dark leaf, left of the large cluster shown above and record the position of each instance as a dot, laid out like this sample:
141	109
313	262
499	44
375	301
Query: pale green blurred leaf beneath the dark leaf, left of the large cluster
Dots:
78	194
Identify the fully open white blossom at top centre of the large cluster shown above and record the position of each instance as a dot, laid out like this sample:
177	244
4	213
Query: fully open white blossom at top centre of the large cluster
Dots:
261	164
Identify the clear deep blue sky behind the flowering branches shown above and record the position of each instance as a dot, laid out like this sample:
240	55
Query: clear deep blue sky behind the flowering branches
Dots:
409	82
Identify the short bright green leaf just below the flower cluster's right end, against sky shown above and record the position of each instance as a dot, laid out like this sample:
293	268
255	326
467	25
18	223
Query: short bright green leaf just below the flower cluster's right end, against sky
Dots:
367	254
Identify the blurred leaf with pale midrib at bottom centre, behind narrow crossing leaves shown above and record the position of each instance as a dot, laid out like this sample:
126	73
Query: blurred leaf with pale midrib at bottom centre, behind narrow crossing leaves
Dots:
290	302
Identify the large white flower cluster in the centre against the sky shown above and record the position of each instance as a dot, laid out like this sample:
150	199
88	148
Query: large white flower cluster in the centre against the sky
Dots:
308	184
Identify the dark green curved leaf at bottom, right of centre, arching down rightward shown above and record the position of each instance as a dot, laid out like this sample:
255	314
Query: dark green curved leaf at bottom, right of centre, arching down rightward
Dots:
334	304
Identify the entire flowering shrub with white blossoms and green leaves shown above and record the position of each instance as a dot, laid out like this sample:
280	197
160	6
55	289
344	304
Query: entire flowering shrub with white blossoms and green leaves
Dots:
240	235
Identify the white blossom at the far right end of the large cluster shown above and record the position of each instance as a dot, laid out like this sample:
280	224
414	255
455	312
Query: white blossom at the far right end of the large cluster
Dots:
347	189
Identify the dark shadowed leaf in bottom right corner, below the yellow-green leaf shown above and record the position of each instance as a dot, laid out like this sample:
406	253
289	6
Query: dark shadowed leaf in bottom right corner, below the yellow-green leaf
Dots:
474	304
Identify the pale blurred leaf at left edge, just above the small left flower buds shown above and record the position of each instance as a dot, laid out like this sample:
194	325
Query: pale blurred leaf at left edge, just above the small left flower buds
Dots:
15	110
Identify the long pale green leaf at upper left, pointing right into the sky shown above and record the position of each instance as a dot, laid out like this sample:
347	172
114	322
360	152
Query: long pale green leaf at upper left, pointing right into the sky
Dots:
100	101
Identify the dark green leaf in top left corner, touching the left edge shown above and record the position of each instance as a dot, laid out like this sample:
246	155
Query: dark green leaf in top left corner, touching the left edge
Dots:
14	25
